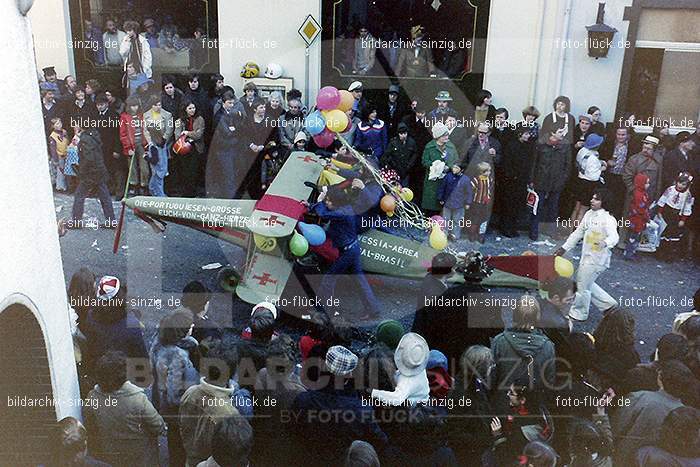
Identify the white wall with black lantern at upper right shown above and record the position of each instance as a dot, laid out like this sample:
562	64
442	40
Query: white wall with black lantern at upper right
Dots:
524	52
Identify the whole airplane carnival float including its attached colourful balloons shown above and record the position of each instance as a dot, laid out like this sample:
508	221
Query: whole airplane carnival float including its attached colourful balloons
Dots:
275	238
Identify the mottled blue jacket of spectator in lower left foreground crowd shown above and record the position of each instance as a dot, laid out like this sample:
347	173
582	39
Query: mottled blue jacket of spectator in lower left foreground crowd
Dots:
173	373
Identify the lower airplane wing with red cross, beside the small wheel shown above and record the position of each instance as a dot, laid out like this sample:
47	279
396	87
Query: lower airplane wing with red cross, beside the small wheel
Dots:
264	278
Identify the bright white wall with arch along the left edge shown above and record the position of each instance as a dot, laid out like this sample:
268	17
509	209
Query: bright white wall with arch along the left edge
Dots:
31	261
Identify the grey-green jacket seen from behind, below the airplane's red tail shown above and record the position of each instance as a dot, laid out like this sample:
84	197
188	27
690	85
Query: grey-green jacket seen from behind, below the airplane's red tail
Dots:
515	349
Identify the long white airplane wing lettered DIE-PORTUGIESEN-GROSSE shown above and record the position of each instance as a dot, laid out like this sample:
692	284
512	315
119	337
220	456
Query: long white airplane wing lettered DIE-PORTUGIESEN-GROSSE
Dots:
227	219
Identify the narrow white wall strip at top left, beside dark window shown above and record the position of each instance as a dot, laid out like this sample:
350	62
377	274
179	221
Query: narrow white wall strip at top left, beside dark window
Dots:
51	26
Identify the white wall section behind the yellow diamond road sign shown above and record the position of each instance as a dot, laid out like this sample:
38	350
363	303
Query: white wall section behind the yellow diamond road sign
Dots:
275	21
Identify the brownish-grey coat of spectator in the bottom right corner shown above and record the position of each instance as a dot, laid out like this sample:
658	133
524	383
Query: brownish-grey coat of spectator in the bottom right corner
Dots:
639	423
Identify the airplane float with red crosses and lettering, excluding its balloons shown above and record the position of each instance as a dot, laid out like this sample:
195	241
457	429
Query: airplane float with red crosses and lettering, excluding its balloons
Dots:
265	228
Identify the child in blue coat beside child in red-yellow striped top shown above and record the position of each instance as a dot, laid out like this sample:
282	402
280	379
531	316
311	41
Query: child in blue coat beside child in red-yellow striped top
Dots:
455	195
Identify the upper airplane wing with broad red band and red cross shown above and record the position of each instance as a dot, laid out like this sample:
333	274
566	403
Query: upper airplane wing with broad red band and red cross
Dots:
278	211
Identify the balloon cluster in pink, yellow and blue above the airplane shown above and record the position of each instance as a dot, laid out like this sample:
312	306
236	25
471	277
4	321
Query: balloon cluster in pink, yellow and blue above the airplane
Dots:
331	116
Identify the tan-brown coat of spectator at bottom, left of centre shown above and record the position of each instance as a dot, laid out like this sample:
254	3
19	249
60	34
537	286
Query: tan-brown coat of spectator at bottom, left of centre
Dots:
203	407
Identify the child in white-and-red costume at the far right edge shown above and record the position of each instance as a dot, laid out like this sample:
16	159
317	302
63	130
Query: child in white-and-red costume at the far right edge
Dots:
675	207
